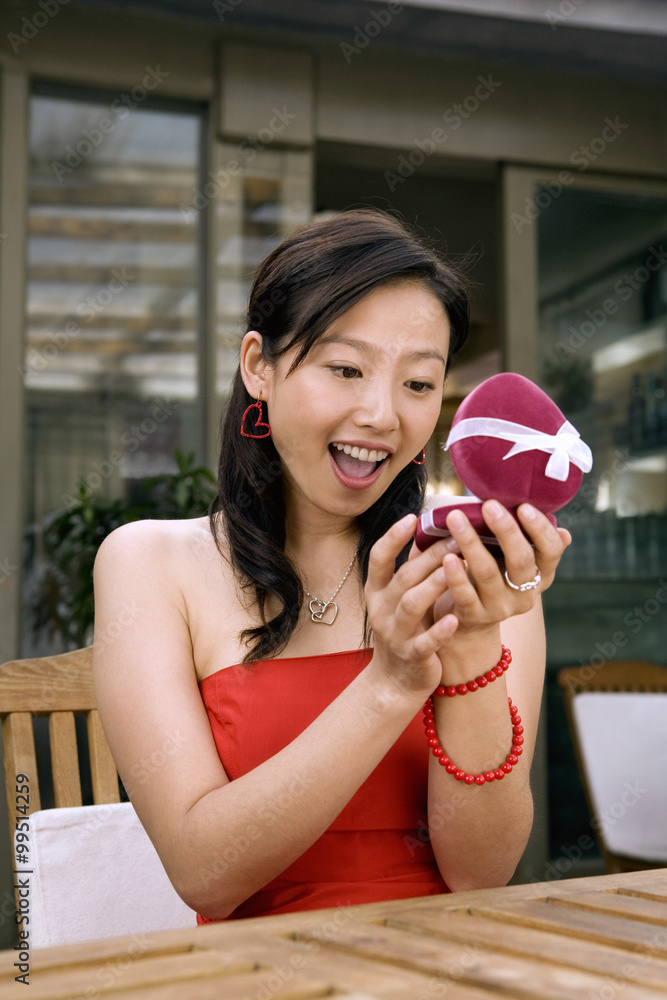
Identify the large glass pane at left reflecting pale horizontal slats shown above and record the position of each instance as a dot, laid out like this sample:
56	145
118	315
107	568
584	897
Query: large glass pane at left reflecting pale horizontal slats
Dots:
113	326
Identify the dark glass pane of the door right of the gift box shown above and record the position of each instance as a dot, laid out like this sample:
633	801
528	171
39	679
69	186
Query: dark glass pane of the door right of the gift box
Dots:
602	356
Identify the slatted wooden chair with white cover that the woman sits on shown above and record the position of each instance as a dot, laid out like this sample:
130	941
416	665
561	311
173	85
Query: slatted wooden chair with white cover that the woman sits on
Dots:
94	871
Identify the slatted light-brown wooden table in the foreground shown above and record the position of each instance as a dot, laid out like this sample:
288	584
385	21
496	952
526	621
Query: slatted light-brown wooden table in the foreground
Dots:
596	938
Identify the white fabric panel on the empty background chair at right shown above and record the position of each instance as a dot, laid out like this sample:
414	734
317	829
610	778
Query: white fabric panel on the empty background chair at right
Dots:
623	740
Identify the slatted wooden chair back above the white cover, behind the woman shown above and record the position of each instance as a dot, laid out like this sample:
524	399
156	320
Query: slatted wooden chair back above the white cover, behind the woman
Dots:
58	687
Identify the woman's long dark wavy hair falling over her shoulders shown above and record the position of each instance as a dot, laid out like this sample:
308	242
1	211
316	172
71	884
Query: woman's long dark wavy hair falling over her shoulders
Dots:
308	281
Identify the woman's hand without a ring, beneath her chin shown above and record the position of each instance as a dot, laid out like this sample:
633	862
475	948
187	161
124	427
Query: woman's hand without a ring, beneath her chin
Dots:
397	603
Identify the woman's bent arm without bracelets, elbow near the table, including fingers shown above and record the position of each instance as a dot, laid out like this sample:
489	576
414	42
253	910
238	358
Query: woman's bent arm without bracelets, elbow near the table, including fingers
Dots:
221	841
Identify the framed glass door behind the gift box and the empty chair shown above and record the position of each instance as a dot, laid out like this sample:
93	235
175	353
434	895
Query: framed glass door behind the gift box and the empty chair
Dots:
586	317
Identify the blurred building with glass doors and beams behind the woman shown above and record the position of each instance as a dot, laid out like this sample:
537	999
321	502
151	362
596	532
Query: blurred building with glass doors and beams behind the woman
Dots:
153	152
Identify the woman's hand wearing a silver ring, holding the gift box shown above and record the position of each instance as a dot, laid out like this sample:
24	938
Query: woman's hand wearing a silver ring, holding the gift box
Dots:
480	596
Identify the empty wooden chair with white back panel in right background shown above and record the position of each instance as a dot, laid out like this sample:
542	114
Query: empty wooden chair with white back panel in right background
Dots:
624	677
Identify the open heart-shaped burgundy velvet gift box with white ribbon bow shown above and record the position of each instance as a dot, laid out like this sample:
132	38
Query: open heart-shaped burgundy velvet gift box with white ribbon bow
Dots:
510	442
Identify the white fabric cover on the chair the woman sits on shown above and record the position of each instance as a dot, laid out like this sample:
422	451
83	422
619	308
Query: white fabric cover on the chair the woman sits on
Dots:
96	874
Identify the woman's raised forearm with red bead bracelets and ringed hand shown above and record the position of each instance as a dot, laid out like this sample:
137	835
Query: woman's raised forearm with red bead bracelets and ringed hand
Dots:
478	833
